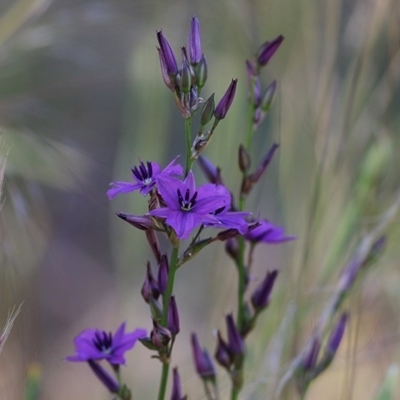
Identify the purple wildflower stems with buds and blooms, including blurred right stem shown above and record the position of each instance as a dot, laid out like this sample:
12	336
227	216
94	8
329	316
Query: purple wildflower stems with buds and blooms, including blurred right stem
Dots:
183	212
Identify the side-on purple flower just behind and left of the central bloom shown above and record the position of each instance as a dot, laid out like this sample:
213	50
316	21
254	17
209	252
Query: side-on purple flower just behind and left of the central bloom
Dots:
146	176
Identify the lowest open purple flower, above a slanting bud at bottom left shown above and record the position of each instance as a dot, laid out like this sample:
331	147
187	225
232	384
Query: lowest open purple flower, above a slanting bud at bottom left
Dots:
94	344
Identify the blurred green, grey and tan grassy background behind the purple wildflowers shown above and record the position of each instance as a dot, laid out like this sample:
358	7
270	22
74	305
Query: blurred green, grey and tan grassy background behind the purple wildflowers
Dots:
81	99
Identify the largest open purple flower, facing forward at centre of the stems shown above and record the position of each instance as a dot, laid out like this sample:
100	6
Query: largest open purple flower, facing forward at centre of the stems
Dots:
188	207
